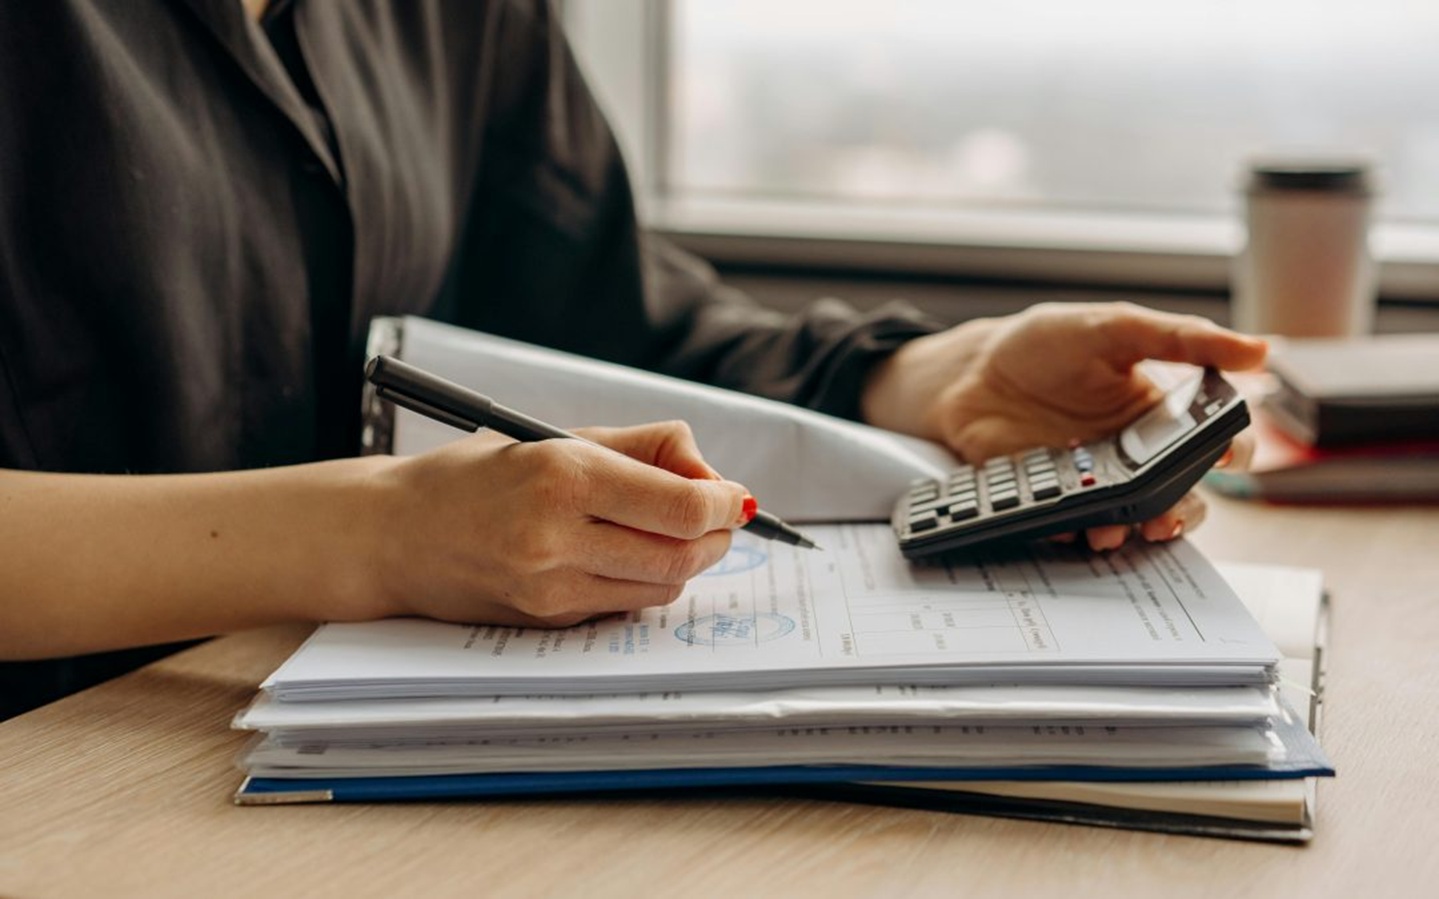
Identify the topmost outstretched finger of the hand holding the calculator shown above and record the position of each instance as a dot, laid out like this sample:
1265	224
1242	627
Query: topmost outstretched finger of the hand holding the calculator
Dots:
1133	334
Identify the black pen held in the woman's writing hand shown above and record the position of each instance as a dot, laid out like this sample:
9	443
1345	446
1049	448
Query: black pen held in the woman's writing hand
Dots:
461	408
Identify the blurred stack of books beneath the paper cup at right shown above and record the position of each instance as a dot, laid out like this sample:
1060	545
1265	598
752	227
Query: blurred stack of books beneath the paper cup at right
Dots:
1352	421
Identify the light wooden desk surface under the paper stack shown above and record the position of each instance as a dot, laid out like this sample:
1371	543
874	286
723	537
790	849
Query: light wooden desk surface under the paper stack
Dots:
126	789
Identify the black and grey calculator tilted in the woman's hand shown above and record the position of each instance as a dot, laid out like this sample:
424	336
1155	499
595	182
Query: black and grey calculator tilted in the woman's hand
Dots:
1127	478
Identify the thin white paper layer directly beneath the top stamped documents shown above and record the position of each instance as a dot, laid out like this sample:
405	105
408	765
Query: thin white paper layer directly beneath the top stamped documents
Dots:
415	720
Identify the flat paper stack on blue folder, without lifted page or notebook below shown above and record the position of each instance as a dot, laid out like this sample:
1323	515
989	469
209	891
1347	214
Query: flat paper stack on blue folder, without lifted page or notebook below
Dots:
786	667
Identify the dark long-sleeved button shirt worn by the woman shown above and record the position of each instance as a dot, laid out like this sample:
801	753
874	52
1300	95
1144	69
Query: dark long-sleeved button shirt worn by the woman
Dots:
199	216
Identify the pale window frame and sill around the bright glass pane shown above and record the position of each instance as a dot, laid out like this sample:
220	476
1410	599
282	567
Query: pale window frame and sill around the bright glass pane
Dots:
625	48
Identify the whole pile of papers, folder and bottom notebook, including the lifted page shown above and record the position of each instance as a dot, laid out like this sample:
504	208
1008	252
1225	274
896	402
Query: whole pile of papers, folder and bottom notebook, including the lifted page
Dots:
1132	688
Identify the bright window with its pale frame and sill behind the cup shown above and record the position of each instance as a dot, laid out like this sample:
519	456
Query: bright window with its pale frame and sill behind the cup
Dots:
1103	140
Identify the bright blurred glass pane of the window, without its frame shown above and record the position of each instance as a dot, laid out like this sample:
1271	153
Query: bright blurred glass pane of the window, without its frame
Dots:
1094	104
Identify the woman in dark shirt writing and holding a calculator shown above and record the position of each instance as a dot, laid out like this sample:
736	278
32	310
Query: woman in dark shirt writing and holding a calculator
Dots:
204	205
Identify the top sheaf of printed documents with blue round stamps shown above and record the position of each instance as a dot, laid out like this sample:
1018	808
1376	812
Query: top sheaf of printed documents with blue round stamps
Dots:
772	616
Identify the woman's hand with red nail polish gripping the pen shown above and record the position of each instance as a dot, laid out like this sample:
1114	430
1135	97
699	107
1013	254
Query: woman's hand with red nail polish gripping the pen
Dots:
555	533
